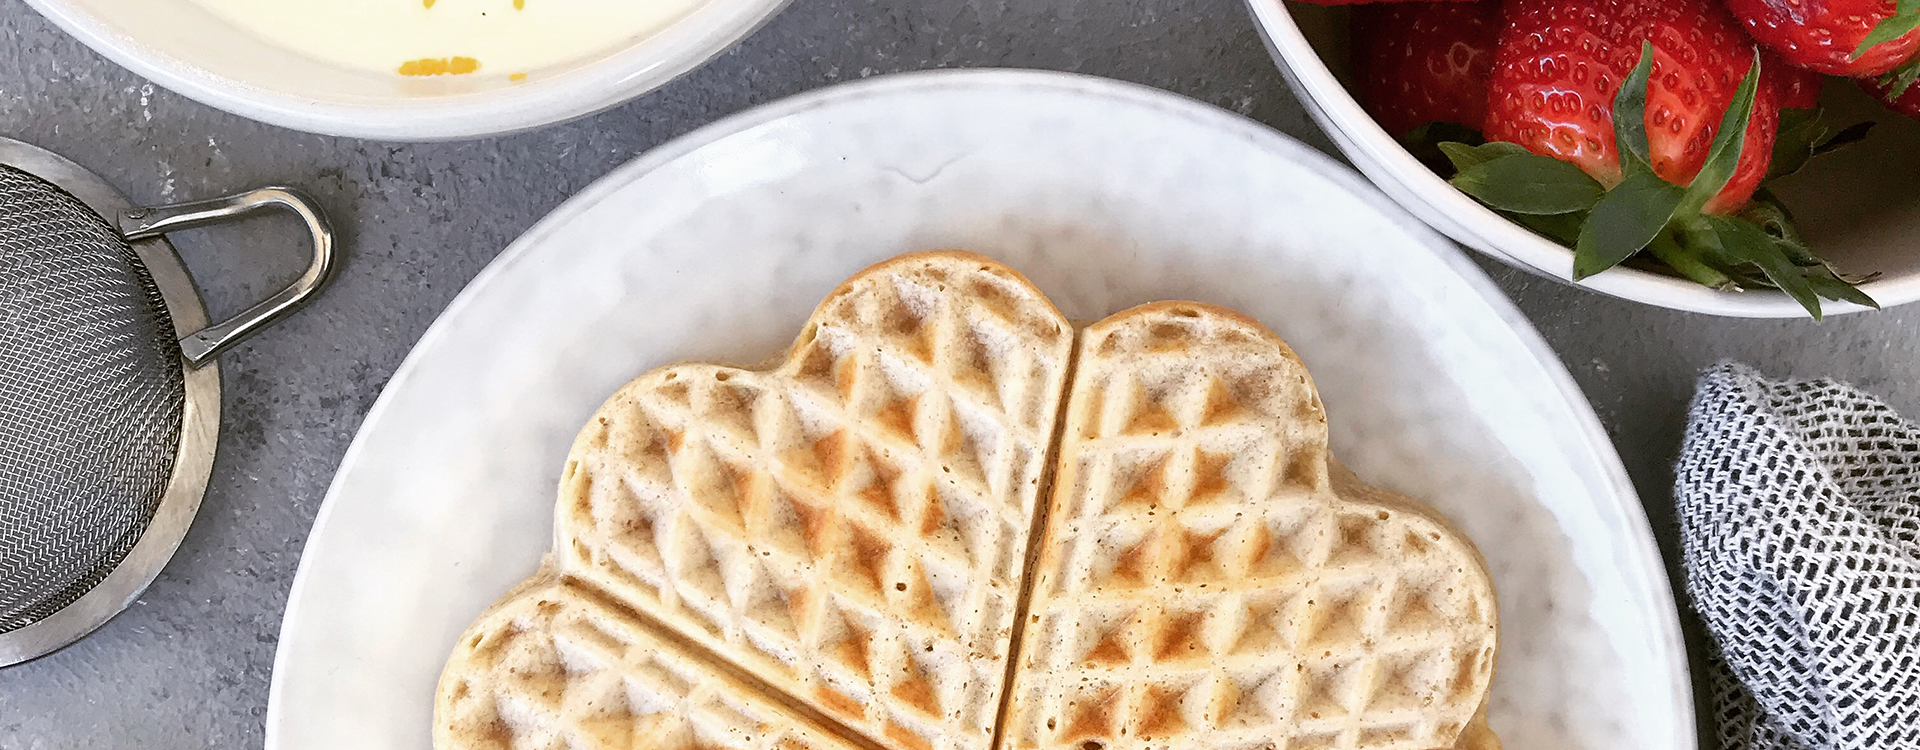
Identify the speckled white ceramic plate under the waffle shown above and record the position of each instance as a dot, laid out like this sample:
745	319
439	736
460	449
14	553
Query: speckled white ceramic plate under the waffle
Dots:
719	245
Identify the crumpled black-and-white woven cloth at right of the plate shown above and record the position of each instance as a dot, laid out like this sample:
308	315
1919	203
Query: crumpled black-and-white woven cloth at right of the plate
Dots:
1800	528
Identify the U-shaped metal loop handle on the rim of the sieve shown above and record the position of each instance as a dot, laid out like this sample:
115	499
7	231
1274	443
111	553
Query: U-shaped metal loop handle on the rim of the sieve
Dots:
210	342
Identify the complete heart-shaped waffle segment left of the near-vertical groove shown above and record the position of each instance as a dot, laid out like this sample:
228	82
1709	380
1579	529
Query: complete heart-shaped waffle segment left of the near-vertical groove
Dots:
850	527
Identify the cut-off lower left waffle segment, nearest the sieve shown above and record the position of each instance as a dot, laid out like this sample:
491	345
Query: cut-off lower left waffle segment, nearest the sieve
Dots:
550	668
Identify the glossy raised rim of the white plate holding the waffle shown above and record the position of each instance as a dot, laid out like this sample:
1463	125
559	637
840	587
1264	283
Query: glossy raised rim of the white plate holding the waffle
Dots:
1652	569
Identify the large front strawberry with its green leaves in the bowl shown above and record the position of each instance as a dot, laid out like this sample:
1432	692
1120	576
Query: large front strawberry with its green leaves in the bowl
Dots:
1627	128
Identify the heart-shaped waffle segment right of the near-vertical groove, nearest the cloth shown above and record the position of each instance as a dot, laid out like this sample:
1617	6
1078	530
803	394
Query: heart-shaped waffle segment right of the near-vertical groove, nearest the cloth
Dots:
1212	580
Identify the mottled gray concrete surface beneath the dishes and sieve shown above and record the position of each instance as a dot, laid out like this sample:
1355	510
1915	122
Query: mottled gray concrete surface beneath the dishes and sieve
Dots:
189	665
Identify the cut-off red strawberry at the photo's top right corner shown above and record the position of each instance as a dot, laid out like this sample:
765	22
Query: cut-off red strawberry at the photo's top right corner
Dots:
1823	35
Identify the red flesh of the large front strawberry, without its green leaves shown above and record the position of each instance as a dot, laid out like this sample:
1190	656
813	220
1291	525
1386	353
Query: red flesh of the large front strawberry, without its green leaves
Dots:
1562	62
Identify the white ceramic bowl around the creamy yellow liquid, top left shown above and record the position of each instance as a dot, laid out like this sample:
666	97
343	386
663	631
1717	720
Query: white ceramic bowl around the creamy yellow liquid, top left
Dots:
191	51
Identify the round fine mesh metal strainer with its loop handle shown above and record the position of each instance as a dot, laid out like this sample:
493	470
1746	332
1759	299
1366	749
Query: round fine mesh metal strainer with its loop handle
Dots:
108	390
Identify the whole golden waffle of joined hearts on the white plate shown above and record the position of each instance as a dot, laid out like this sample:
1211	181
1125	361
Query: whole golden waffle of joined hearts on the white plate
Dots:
836	550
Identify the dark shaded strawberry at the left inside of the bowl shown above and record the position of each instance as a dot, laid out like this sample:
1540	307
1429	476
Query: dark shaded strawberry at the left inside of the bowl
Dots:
1426	62
